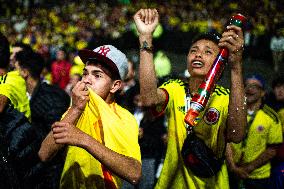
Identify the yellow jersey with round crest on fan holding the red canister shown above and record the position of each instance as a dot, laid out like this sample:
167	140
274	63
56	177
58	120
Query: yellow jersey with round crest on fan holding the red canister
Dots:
210	128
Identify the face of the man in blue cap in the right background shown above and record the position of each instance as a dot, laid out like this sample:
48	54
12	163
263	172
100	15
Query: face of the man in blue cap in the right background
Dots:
253	91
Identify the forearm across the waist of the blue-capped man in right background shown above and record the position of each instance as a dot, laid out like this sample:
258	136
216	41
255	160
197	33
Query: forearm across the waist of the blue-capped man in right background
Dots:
262	159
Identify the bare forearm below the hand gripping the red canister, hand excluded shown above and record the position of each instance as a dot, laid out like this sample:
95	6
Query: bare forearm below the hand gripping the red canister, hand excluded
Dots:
237	110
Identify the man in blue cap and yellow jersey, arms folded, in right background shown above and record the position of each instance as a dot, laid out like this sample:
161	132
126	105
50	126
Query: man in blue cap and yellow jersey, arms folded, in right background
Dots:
249	160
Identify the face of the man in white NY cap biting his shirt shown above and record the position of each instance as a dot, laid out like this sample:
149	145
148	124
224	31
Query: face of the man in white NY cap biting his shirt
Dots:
96	79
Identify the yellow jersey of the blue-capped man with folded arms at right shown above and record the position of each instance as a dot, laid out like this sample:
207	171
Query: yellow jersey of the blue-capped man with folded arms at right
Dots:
266	129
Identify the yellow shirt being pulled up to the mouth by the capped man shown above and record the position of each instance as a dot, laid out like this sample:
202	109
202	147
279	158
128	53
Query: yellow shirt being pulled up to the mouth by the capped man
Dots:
111	125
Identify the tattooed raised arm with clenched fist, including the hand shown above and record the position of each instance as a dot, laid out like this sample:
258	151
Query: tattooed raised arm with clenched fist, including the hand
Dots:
146	21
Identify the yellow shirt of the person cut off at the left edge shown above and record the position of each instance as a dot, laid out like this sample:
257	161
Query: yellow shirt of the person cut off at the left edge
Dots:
13	86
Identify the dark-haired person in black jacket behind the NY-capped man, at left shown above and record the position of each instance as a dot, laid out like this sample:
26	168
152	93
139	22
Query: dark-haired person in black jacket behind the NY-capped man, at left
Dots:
47	103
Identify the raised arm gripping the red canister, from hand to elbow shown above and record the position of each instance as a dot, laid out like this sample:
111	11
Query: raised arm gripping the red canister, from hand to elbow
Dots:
233	40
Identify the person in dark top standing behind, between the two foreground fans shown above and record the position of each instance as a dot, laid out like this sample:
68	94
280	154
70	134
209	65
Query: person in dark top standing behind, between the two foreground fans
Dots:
152	135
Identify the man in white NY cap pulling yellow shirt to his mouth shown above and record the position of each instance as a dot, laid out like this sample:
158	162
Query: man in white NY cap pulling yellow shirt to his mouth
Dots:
102	137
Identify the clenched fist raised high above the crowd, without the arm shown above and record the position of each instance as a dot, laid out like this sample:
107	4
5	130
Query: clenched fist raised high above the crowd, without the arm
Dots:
146	21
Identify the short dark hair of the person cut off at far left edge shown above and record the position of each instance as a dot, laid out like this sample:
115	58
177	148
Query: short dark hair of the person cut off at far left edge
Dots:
4	52
